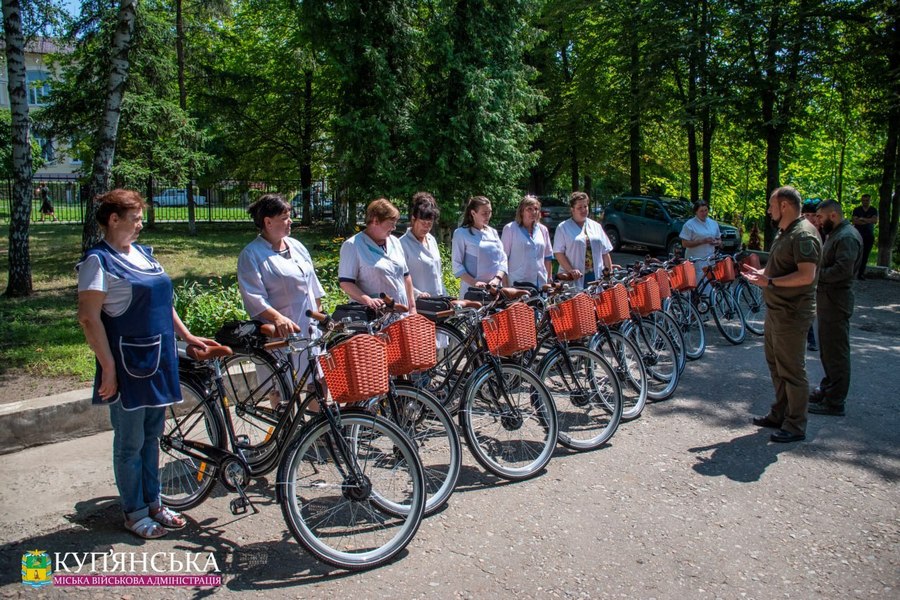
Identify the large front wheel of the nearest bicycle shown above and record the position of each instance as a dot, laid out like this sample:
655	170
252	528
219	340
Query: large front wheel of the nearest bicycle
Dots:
334	485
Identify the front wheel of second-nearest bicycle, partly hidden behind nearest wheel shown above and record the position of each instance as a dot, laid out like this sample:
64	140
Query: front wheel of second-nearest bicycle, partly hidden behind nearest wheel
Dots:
433	433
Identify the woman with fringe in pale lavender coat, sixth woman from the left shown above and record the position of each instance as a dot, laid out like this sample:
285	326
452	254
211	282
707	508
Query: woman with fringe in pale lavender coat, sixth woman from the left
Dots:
526	242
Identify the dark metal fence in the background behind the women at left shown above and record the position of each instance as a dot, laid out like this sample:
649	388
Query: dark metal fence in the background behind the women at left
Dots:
226	201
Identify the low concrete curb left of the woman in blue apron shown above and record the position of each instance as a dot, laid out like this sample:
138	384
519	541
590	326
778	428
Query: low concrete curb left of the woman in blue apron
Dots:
50	419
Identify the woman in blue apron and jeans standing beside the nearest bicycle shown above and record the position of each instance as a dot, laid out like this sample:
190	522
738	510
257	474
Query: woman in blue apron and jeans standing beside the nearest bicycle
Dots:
125	309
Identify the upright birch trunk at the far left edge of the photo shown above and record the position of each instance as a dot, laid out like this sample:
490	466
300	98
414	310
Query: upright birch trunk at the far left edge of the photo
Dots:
20	283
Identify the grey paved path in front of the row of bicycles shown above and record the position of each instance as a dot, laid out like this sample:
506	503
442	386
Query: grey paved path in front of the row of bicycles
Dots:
689	501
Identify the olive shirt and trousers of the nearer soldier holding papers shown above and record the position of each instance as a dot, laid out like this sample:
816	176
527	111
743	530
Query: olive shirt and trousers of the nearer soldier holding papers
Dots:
790	311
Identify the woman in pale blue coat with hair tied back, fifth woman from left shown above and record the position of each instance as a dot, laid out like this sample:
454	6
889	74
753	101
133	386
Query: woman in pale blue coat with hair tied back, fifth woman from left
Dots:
477	252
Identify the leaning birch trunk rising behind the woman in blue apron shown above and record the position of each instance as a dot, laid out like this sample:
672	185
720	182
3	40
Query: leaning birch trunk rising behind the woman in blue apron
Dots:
109	124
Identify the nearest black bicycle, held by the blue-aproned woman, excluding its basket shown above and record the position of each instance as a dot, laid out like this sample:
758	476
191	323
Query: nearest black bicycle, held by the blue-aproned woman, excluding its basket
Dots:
350	483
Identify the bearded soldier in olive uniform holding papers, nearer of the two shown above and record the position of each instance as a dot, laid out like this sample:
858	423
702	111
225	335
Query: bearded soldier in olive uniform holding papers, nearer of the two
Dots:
789	284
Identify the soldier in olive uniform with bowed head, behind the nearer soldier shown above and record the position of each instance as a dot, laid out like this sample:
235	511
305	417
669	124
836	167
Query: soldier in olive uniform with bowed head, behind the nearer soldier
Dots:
841	256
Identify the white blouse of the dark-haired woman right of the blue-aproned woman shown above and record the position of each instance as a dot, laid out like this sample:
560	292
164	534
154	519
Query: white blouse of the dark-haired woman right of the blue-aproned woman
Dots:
286	282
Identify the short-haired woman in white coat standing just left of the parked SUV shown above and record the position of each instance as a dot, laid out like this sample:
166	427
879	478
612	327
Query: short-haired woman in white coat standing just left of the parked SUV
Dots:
580	244
